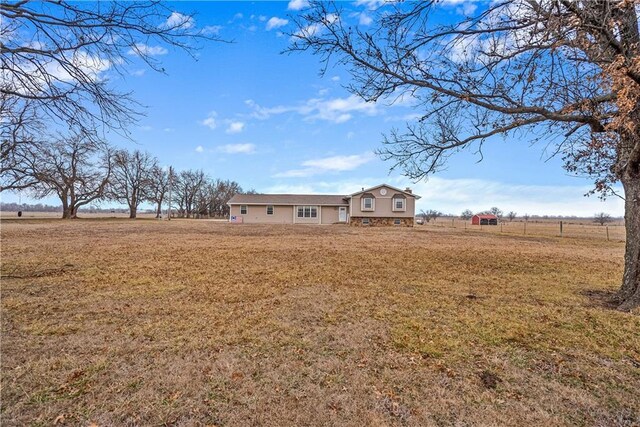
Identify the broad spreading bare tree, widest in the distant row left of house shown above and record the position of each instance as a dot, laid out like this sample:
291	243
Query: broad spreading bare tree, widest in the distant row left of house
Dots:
74	169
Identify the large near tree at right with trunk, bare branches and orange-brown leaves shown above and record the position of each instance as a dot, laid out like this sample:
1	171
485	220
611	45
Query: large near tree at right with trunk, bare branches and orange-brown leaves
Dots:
564	69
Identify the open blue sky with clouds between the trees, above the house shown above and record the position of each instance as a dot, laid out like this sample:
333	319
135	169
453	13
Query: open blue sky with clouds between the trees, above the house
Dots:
246	112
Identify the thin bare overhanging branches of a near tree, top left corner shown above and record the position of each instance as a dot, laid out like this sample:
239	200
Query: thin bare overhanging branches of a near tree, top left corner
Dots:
56	60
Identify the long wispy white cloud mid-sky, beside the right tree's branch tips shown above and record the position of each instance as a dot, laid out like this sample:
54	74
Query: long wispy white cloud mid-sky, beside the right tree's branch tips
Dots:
336	110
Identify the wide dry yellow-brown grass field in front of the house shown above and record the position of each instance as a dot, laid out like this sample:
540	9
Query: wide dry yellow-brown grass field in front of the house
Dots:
118	322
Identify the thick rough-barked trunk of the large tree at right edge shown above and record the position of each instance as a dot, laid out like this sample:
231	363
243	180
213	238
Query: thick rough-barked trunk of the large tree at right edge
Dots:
629	293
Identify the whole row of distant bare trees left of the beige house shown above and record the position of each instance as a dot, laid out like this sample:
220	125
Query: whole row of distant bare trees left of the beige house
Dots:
82	171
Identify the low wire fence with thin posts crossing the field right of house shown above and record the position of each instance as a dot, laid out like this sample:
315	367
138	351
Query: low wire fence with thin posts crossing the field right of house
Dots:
612	232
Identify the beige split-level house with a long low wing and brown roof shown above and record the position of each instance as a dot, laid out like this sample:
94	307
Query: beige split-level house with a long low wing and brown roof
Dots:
379	205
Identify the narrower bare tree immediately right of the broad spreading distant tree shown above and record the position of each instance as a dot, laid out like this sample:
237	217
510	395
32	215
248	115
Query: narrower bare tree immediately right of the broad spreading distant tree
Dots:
131	178
